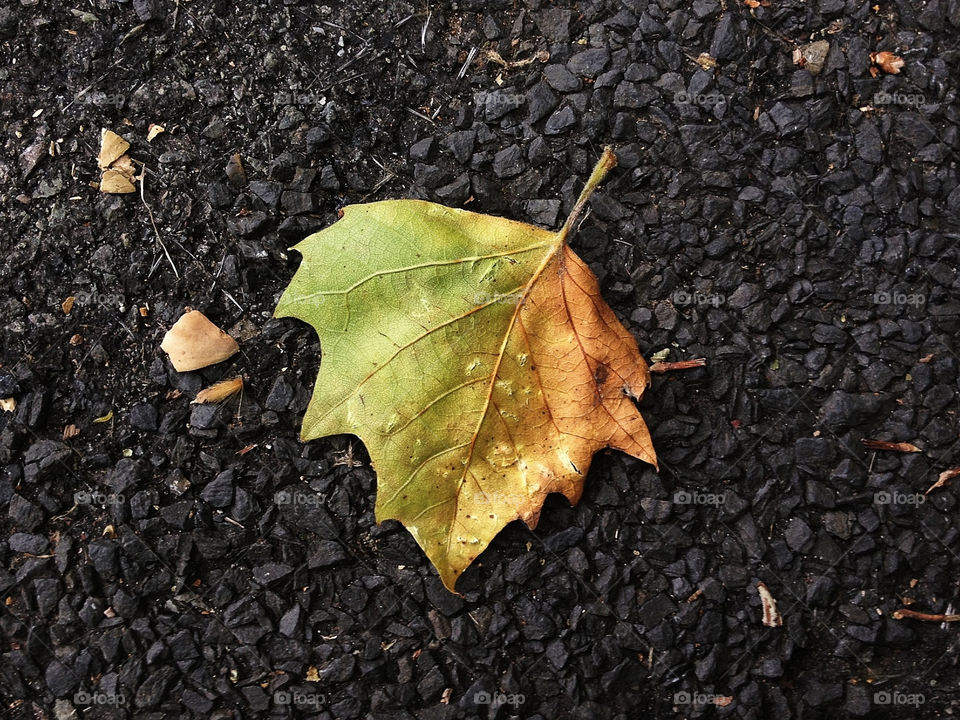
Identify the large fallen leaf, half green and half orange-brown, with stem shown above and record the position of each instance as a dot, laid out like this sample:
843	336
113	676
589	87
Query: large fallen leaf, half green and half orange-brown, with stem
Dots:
474	357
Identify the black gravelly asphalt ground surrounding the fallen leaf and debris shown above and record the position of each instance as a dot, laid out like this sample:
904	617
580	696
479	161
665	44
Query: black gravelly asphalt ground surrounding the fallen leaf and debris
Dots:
796	226
